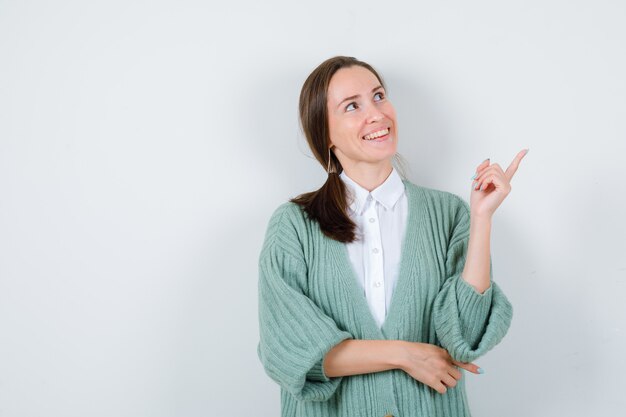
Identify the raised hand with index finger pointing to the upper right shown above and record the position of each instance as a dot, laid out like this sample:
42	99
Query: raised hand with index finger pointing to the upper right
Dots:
492	185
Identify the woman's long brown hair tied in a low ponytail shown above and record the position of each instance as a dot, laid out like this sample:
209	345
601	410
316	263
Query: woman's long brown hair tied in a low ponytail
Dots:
328	205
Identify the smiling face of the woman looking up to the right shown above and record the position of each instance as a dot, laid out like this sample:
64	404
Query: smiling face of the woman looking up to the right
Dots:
362	122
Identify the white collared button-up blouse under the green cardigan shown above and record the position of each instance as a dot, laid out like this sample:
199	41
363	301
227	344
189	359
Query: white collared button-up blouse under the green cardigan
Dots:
380	216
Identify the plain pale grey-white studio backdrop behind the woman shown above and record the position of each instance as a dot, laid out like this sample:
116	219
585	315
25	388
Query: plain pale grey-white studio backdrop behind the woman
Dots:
144	145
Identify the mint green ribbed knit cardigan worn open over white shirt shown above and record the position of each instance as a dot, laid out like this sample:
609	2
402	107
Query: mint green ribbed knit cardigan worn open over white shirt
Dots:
310	300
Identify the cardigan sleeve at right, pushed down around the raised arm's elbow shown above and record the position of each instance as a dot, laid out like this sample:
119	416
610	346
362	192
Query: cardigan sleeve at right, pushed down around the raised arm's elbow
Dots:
467	323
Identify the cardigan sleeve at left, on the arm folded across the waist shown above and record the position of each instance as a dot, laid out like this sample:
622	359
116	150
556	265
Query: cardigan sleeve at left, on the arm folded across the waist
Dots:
295	334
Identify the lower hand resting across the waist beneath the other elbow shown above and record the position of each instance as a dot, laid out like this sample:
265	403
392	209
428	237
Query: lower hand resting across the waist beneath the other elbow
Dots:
433	365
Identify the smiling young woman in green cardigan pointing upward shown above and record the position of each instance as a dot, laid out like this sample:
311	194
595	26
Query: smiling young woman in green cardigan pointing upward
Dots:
376	293
